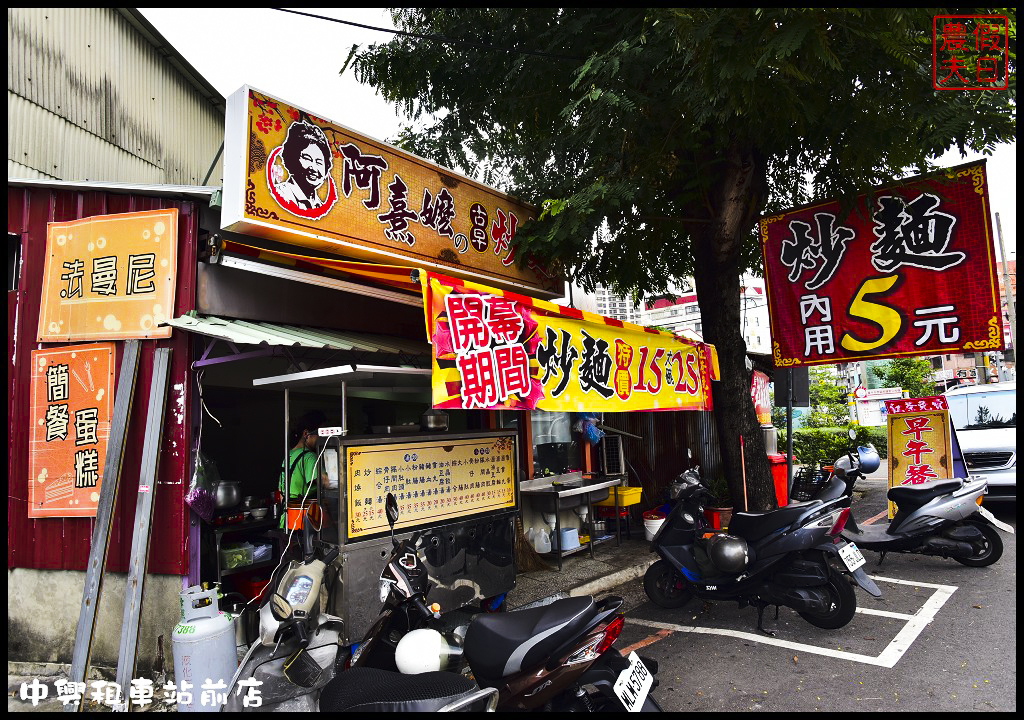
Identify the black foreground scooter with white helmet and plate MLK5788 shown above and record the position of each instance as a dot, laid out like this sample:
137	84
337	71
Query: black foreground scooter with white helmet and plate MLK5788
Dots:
556	658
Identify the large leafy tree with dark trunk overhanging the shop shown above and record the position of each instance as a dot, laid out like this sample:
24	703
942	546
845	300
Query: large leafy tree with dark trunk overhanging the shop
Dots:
654	139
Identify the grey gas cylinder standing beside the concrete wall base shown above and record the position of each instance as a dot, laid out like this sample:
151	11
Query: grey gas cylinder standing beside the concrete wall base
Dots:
203	646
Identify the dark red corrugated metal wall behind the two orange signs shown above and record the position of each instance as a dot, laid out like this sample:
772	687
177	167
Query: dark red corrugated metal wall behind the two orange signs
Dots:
64	543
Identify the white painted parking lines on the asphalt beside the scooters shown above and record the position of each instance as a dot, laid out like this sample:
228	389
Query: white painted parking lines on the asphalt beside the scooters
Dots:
887	659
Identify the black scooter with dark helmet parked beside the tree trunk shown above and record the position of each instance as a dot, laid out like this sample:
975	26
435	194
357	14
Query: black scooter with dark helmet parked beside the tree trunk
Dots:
792	557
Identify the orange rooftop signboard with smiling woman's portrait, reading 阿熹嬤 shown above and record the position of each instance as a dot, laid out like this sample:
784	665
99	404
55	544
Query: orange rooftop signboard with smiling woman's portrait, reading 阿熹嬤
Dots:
301	180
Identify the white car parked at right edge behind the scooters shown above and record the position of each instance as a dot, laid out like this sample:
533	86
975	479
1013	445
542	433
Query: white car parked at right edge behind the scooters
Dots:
986	418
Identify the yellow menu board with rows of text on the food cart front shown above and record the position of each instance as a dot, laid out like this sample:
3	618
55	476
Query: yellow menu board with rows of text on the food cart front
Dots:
433	480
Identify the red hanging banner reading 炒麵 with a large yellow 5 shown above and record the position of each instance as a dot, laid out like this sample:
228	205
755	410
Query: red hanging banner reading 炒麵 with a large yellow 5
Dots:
910	272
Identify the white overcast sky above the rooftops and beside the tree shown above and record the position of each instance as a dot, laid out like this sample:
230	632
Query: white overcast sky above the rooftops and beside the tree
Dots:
297	60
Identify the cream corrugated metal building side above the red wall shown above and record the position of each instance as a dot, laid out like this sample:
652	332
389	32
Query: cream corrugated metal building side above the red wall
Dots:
94	94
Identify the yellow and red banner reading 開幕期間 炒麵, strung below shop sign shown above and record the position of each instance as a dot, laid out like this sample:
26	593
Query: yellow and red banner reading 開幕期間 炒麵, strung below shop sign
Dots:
498	351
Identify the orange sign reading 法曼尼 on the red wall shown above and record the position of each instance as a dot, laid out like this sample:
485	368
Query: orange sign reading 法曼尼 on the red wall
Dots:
110	277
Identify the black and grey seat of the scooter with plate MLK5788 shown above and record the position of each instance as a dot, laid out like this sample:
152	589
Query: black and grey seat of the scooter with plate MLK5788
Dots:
503	644
